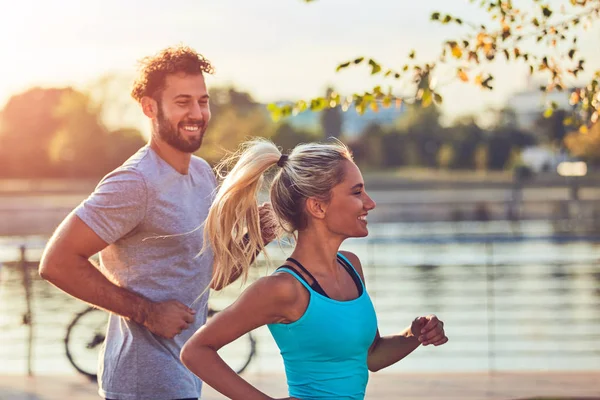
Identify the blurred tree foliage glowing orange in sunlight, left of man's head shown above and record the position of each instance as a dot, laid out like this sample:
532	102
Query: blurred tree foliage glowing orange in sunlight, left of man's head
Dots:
59	132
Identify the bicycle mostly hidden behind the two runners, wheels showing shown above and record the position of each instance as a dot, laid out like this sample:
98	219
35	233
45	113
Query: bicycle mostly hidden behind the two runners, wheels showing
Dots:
87	331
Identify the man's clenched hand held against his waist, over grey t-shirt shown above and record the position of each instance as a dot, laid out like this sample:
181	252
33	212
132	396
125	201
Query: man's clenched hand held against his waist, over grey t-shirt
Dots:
168	318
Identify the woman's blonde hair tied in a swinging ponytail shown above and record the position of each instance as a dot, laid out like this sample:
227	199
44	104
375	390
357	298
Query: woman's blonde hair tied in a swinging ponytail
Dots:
310	170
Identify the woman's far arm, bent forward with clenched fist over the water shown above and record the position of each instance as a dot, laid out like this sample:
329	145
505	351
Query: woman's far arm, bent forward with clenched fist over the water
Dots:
388	350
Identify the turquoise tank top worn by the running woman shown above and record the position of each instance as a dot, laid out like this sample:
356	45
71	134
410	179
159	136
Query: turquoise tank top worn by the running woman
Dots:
325	351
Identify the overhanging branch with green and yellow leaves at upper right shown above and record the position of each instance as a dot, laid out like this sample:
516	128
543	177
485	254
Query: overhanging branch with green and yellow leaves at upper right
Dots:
512	30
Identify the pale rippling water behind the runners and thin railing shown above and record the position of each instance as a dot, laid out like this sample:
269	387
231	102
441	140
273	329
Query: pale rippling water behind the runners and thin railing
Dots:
526	301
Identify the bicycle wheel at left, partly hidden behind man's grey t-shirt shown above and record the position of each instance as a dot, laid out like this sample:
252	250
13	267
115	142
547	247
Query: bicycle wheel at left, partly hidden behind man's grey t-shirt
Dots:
85	336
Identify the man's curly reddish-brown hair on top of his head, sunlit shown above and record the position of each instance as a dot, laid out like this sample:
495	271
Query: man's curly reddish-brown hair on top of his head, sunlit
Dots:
172	60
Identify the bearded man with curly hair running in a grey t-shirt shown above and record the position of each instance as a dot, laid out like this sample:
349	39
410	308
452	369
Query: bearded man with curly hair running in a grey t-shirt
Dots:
145	219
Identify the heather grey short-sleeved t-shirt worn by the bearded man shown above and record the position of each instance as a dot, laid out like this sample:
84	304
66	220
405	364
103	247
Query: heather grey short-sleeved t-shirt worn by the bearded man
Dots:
152	218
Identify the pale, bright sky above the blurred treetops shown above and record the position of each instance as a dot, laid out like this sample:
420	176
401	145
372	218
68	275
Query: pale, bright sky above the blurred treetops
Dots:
275	49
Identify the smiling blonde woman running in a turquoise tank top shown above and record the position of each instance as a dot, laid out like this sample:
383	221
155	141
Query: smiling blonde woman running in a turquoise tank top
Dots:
315	305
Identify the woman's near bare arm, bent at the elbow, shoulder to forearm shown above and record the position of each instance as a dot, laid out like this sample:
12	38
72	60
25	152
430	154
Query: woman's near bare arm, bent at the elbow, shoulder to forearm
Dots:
266	301
